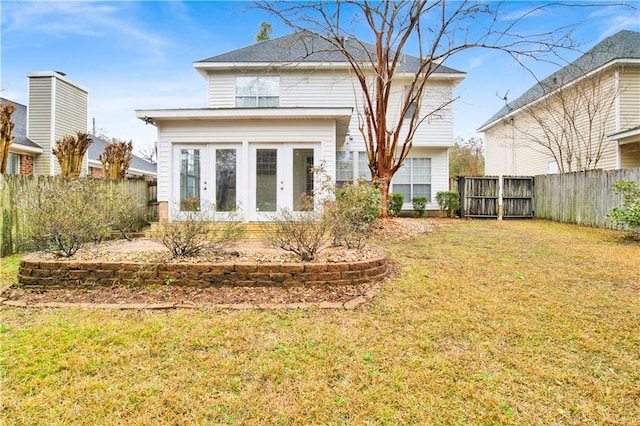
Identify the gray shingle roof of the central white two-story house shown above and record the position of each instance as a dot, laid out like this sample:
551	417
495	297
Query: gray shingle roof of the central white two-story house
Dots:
305	46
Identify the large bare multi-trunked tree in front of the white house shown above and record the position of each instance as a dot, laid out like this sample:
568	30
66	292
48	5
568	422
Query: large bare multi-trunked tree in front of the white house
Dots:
438	30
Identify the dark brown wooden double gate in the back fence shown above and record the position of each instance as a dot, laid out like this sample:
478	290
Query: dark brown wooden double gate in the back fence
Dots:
499	197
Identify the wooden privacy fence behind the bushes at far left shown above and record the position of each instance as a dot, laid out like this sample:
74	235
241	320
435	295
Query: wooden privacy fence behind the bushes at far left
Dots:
13	218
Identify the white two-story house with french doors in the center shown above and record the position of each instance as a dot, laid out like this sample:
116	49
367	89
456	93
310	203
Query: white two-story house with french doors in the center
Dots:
278	110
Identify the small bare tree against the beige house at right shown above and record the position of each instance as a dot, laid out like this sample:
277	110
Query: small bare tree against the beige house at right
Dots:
569	121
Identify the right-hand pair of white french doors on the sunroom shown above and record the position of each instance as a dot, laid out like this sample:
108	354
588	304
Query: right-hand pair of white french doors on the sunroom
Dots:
281	174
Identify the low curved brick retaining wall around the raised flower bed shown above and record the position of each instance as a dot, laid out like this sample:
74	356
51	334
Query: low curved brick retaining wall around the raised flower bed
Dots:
34	273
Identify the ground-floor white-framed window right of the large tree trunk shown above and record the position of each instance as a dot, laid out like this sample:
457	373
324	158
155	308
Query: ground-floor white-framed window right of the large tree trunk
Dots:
413	179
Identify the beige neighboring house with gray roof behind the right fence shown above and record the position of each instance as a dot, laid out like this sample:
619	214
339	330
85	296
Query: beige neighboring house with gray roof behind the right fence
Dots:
589	112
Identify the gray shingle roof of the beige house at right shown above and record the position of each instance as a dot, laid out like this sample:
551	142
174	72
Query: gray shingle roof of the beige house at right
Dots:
622	45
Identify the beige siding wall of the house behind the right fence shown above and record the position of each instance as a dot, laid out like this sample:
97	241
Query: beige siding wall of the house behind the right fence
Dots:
523	143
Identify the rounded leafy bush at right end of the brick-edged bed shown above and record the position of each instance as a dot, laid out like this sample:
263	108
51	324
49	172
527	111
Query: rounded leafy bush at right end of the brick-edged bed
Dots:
356	207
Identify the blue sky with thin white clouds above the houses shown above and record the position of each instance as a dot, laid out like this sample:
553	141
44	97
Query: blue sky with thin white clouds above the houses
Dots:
139	55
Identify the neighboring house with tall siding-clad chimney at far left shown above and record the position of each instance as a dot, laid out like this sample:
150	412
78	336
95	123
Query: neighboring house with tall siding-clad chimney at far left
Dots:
57	107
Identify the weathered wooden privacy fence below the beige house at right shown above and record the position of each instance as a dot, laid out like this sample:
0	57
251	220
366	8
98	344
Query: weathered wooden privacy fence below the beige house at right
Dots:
584	198
